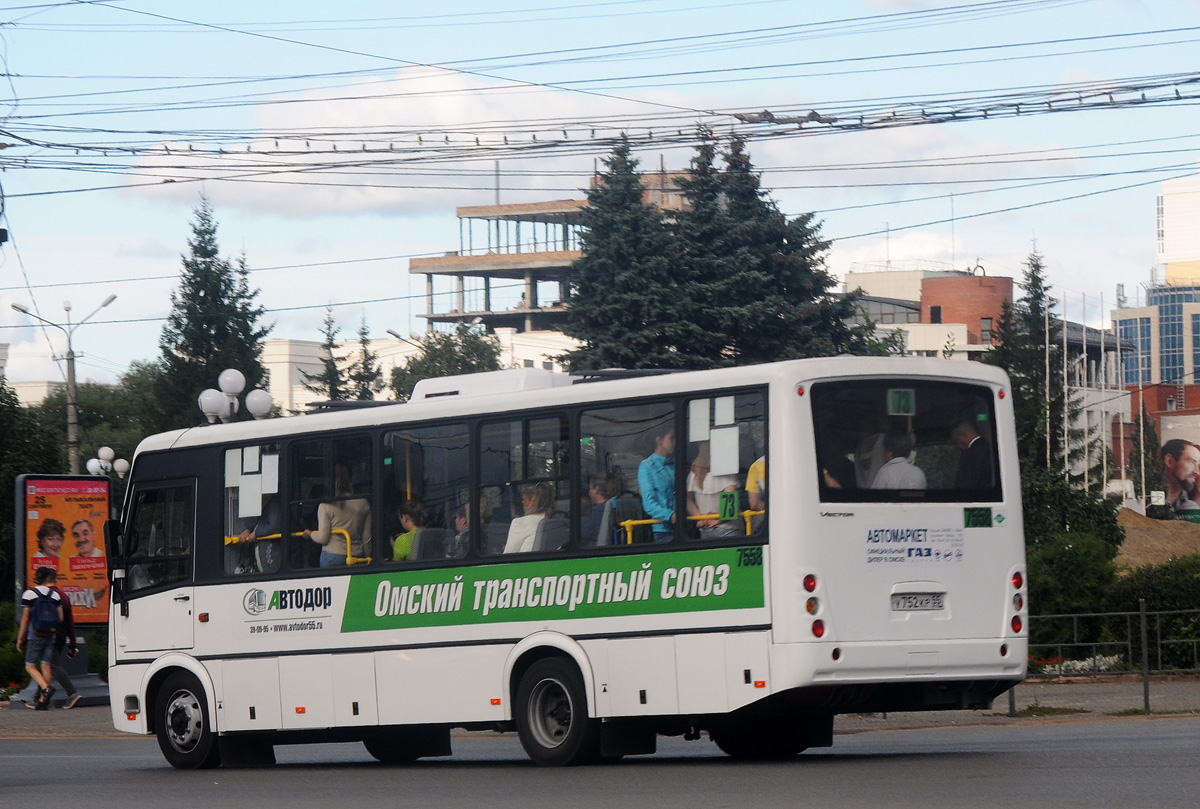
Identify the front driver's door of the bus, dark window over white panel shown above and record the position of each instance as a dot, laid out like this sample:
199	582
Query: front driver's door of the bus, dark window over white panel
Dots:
154	584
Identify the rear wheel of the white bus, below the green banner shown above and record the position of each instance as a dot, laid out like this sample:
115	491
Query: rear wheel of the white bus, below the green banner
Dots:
553	718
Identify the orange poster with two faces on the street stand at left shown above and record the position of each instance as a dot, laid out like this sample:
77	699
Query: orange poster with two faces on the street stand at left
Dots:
64	529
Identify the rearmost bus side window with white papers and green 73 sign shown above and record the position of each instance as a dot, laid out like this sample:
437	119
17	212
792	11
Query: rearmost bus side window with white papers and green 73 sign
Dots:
728	468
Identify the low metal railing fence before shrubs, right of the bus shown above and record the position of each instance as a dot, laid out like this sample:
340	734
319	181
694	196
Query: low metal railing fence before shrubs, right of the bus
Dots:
1106	643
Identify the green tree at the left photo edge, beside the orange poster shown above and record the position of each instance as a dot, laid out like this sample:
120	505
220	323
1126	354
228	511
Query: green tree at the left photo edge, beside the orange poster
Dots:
27	447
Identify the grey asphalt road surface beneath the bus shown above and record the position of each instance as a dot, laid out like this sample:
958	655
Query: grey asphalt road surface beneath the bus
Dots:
1094	764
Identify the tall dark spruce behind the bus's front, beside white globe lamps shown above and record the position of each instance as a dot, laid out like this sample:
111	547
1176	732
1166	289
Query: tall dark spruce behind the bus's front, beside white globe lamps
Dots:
214	325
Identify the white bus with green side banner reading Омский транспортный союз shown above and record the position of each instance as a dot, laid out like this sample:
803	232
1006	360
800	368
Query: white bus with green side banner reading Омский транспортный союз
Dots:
589	561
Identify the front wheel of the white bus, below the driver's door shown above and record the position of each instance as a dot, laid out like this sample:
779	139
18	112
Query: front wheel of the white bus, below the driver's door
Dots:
182	722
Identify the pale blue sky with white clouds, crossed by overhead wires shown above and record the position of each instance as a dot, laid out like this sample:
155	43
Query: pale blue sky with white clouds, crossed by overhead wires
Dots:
335	141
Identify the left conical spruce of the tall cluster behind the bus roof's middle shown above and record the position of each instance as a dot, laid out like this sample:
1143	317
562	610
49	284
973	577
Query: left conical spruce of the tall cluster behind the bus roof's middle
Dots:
629	305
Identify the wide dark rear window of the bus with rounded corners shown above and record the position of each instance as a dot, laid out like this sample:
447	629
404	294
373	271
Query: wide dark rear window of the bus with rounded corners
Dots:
904	440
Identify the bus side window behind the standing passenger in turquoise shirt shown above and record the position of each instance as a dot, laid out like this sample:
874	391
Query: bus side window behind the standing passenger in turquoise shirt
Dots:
614	442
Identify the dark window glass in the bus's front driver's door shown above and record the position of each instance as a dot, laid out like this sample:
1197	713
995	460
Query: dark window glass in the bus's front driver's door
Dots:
160	547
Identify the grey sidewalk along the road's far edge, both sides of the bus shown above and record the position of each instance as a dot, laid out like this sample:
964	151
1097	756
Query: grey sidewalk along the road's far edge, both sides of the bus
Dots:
1037	702
